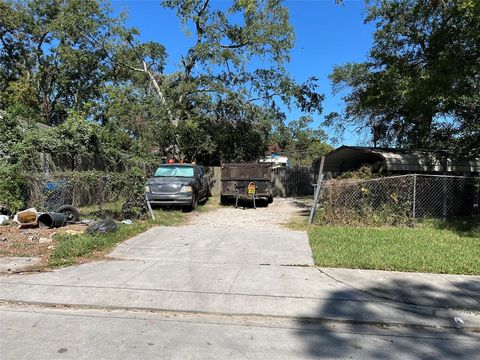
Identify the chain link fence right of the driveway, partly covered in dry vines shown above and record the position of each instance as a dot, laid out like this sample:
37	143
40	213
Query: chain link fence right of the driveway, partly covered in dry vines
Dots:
398	199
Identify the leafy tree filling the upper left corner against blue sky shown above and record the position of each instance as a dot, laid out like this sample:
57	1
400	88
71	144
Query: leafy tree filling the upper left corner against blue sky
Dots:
49	58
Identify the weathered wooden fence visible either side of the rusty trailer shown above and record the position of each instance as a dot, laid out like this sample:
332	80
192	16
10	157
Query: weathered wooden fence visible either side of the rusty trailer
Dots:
295	181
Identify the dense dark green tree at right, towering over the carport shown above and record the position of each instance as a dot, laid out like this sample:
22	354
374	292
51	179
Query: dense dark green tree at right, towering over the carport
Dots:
420	86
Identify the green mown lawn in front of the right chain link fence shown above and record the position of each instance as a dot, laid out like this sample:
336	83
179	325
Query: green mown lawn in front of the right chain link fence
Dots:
430	247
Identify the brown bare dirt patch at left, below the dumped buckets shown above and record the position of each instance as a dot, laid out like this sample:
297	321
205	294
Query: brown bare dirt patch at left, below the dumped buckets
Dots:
36	242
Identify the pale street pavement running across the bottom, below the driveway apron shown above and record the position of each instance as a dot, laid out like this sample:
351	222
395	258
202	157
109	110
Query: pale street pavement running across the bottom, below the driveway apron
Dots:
43	333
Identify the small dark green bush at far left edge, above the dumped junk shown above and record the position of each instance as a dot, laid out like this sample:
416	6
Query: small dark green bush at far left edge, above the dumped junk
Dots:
12	188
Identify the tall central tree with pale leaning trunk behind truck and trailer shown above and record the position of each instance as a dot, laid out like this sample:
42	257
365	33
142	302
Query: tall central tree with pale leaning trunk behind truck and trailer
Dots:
219	86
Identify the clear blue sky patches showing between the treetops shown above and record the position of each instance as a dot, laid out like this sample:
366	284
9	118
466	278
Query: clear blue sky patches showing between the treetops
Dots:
326	34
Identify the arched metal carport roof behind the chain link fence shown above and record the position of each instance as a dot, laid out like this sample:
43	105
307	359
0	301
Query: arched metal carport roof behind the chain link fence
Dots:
347	158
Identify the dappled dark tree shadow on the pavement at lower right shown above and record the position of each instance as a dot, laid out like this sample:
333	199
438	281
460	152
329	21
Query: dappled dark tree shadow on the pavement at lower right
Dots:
383	340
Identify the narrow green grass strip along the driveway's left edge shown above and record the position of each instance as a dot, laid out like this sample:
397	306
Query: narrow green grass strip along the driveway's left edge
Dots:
69	248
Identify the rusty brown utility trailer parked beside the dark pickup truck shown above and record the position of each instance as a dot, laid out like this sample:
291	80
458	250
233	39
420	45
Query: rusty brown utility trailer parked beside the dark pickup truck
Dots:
249	181
